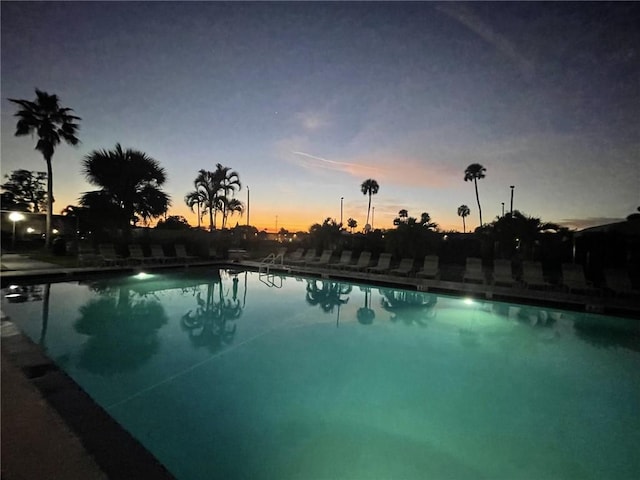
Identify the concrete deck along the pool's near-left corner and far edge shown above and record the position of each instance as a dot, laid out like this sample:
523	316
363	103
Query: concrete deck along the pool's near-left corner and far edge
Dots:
46	431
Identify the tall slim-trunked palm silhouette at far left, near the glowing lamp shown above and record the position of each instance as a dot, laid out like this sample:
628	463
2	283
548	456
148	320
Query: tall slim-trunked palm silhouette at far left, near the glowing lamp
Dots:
52	124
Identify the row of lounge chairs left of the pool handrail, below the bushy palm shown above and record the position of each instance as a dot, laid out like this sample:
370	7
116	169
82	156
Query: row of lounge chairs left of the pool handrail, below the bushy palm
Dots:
106	255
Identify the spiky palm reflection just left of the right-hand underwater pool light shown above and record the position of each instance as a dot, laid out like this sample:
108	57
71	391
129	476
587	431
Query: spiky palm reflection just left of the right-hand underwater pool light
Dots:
410	307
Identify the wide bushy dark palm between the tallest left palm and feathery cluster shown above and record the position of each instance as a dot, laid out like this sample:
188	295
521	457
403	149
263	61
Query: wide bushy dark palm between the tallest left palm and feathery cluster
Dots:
130	180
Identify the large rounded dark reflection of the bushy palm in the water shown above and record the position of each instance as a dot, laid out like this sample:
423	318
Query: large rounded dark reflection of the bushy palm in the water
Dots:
123	333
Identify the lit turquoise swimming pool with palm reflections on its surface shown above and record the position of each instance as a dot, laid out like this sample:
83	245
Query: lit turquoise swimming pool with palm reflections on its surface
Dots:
240	375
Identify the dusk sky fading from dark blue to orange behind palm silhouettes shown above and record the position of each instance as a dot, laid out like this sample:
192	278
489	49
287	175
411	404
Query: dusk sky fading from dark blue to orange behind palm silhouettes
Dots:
307	100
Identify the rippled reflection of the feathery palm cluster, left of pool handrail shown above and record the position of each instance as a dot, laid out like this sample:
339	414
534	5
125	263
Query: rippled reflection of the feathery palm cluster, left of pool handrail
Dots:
209	326
